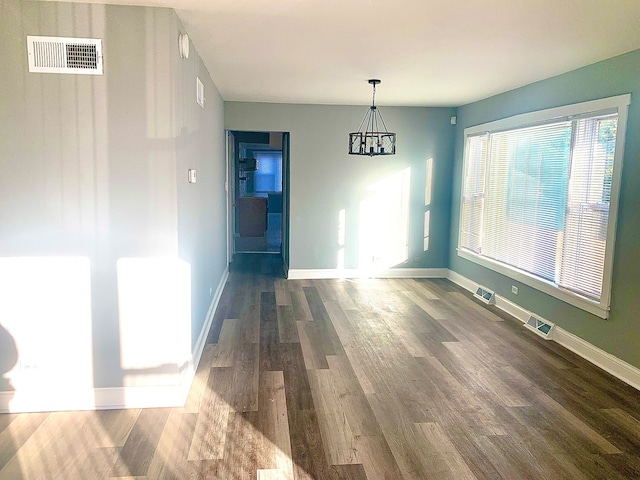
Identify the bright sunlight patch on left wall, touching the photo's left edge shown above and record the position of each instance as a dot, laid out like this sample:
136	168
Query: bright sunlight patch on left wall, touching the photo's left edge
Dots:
45	309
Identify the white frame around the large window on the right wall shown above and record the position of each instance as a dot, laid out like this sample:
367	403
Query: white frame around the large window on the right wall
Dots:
617	104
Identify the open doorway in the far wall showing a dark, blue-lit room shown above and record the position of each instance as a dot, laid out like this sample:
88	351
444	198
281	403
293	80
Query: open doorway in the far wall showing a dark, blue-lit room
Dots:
258	190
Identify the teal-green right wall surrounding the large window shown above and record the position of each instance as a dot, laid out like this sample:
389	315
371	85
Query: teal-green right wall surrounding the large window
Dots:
620	334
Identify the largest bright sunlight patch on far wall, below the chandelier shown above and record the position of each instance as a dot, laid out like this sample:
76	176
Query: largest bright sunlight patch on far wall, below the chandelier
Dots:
384	223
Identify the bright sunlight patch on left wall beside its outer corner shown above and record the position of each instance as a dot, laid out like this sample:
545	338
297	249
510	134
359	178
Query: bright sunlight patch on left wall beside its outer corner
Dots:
154	302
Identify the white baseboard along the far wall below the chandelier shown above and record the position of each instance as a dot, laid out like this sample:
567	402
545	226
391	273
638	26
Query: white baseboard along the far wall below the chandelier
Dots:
328	273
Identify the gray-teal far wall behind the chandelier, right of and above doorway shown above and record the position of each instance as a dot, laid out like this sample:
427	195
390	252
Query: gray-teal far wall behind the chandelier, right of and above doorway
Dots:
325	179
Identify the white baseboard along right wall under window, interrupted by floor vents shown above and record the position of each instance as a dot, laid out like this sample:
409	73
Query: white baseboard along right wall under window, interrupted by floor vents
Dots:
595	355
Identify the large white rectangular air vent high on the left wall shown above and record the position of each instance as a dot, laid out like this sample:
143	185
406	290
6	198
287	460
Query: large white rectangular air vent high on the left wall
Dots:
79	56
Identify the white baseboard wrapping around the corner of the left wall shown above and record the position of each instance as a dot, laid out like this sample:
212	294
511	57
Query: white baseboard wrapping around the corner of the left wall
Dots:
151	396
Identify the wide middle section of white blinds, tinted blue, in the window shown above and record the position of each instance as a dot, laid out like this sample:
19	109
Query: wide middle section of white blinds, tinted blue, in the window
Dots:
526	197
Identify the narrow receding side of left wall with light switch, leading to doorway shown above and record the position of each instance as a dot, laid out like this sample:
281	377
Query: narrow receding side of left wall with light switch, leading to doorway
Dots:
202	207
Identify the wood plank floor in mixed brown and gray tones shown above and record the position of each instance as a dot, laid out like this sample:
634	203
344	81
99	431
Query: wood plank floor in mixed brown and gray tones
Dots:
352	379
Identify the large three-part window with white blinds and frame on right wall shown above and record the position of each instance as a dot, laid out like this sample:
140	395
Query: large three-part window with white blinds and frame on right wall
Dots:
539	198
